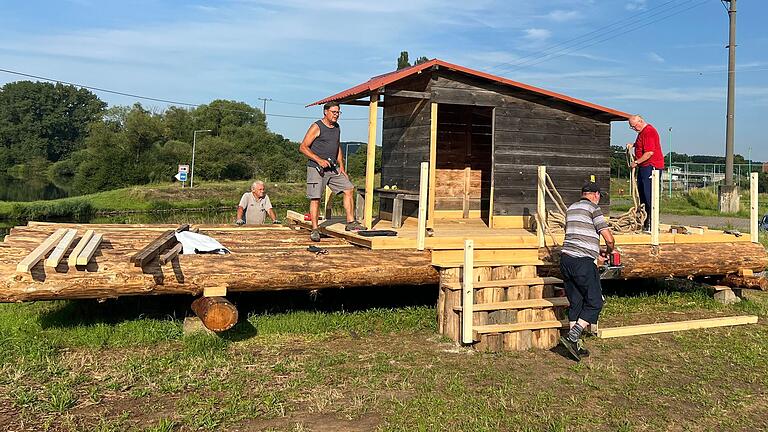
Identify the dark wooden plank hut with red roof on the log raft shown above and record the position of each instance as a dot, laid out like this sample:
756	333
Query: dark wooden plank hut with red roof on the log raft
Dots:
483	136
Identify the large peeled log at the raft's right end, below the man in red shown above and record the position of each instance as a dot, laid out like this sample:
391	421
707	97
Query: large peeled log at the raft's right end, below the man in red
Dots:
680	260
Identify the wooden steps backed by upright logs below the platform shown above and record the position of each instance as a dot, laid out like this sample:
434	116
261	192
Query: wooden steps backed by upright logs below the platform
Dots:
513	308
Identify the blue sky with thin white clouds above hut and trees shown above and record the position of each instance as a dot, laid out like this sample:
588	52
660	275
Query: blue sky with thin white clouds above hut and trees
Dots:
666	60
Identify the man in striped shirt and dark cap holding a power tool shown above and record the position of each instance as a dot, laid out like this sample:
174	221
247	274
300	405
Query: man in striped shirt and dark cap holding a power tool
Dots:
584	224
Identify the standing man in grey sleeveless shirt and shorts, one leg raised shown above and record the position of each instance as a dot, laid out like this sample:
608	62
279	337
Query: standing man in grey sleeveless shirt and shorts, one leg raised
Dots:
325	167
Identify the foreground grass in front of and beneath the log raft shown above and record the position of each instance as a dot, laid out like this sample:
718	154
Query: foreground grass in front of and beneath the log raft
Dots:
125	365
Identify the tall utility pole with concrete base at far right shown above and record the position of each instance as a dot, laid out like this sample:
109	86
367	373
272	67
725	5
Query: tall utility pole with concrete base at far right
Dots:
729	201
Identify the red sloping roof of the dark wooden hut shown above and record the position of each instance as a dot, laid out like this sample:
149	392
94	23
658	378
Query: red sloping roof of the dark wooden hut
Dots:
379	81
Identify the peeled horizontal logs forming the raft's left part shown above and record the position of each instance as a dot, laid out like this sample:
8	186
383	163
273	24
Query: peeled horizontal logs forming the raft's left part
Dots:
263	258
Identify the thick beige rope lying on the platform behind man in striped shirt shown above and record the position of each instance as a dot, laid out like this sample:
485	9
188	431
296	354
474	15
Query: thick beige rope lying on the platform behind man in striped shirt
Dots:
629	222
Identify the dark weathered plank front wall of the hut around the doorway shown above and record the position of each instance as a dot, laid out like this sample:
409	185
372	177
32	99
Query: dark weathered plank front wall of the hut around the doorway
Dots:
532	130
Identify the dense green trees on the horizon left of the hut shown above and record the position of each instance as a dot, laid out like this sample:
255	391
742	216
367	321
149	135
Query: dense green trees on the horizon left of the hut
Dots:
69	135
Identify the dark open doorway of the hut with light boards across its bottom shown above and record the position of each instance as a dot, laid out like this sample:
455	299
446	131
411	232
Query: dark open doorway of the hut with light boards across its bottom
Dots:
464	159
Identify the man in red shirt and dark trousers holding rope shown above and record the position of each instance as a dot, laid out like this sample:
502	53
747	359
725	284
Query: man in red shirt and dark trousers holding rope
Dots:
648	157
